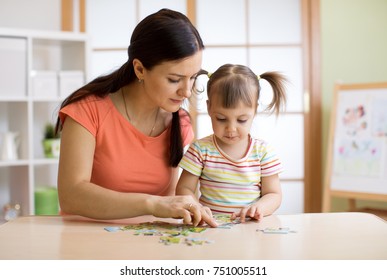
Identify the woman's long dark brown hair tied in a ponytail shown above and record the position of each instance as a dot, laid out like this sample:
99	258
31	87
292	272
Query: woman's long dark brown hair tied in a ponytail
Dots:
163	36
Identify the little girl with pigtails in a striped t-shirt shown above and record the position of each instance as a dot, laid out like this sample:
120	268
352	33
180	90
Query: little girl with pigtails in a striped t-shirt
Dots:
238	173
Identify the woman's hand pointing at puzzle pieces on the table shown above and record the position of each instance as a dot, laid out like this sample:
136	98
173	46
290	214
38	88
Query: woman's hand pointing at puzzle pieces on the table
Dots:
181	207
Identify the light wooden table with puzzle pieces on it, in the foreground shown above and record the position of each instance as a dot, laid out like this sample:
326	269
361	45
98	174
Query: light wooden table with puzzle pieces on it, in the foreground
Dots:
329	236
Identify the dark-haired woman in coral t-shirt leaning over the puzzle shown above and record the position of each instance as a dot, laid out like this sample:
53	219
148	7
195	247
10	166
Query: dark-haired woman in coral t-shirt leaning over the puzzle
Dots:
123	134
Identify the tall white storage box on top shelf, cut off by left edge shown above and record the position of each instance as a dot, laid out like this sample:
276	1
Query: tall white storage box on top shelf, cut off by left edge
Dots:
13	67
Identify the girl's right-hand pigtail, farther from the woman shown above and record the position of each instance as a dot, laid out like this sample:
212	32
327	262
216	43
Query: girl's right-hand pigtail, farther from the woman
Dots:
277	81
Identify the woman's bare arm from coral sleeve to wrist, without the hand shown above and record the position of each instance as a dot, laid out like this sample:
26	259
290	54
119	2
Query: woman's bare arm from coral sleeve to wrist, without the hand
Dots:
77	195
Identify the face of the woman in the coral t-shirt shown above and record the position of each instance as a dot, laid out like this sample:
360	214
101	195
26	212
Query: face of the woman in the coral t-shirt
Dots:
170	83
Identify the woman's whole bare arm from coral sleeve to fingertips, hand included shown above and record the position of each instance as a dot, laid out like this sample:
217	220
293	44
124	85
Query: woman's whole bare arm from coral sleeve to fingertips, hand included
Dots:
77	195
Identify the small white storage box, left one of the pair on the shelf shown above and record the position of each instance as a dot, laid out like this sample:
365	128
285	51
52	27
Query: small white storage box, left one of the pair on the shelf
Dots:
44	84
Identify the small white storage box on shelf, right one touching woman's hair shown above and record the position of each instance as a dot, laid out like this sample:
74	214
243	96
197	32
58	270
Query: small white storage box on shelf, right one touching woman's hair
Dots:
69	81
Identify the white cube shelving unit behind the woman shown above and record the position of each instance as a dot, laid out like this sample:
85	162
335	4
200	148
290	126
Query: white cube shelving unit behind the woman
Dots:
26	109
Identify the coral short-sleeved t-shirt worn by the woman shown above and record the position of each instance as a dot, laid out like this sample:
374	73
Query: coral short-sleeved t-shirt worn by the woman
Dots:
125	159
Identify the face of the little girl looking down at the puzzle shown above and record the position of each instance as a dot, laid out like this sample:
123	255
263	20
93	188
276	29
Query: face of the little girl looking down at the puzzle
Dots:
231	126
